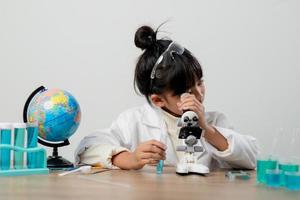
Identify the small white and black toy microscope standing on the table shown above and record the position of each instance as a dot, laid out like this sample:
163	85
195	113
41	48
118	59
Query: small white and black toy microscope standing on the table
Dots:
190	134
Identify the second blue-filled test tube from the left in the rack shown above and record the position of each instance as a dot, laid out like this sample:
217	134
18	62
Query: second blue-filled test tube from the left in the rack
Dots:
19	134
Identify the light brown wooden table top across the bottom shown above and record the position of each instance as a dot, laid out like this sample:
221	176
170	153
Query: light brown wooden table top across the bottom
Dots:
142	184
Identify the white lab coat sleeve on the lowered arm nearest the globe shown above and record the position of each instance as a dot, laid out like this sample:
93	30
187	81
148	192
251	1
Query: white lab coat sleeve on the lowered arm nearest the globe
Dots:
99	147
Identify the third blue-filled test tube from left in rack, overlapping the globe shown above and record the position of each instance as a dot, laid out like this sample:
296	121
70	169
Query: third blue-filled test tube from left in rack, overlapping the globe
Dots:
32	138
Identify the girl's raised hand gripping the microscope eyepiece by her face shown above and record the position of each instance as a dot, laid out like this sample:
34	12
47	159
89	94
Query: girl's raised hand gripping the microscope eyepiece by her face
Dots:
190	102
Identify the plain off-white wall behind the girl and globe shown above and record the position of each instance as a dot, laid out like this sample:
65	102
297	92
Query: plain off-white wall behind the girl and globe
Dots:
249	50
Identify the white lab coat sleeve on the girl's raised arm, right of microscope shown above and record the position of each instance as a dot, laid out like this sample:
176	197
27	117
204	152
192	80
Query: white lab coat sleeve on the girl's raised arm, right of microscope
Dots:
242	149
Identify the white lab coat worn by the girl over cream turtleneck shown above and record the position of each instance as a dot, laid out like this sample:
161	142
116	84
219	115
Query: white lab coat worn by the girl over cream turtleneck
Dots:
144	123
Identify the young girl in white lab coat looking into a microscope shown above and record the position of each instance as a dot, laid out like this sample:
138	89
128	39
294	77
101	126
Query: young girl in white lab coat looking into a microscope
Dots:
164	72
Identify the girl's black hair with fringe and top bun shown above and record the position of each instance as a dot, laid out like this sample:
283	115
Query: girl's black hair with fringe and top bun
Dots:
176	75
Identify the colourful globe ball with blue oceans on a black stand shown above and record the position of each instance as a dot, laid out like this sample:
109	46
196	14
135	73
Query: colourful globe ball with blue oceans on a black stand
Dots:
57	113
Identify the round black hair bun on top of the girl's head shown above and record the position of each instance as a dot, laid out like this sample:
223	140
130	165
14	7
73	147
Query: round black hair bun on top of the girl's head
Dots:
144	37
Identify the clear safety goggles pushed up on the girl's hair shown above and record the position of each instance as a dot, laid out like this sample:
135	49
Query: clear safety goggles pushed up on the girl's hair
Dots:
173	48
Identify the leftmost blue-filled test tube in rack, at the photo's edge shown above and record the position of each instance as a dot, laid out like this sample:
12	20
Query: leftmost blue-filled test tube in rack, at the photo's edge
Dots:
5	135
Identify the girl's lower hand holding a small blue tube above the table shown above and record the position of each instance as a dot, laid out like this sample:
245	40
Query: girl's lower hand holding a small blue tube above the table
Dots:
149	152
